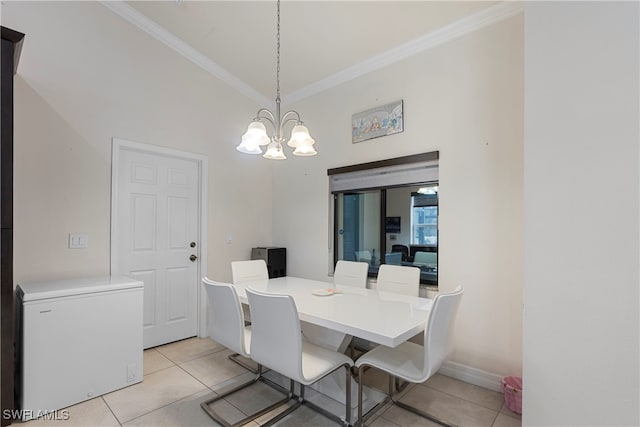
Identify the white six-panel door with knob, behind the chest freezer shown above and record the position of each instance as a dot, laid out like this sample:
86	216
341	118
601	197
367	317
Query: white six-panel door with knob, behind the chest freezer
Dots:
157	239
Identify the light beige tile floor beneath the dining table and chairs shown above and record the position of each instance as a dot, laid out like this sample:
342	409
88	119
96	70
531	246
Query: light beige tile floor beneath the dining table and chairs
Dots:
180	375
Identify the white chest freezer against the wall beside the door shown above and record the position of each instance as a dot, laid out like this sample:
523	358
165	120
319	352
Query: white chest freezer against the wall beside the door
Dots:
77	339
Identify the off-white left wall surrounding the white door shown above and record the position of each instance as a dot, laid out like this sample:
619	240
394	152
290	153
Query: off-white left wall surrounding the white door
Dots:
85	76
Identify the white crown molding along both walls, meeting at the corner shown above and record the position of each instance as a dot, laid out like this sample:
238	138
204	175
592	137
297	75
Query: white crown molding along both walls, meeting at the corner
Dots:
491	15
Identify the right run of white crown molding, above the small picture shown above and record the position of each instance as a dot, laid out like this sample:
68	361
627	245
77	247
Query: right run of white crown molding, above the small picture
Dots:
491	15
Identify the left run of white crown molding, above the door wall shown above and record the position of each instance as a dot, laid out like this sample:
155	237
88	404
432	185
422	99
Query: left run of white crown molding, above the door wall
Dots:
161	34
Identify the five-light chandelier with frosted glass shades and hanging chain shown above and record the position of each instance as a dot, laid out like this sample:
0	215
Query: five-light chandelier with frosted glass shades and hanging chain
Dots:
256	135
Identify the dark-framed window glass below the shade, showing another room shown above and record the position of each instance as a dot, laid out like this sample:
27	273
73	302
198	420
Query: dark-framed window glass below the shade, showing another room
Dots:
397	225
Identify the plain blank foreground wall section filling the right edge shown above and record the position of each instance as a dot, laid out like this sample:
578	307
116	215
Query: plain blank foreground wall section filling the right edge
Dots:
581	226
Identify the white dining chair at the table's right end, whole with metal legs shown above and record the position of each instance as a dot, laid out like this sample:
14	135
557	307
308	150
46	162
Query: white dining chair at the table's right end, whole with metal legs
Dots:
412	362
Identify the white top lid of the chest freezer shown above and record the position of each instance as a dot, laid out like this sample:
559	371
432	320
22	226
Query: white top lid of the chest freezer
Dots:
35	291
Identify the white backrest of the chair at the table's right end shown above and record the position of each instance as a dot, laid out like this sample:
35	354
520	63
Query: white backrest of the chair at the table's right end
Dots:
439	331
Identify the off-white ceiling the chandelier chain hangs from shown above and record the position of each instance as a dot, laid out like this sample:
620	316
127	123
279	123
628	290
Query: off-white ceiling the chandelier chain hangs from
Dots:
320	40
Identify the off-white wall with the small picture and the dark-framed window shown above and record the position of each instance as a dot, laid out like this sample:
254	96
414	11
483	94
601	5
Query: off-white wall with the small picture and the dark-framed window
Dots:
464	99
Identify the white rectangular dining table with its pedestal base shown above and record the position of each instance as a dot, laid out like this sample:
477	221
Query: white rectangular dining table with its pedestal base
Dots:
330	316
